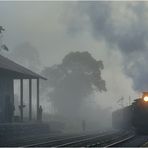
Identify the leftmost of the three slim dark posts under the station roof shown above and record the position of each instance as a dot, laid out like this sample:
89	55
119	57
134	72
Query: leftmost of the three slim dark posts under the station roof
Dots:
21	99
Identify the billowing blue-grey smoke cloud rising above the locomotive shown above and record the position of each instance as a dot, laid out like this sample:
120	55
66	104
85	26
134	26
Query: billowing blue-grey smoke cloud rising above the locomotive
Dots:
122	26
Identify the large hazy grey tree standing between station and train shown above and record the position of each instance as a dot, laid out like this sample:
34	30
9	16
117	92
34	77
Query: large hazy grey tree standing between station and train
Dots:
72	81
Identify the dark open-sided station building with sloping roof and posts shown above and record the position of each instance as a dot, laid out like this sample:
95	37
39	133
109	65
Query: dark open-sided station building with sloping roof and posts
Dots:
10	71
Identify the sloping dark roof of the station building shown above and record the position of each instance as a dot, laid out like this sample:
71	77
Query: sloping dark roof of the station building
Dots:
16	70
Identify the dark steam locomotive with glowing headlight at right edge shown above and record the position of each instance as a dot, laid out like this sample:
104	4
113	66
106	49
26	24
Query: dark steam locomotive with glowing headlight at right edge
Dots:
134	116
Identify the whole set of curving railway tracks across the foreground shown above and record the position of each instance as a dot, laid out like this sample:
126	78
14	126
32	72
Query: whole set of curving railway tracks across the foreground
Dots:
91	139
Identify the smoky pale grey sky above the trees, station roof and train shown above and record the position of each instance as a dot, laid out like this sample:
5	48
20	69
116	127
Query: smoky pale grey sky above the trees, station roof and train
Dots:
114	32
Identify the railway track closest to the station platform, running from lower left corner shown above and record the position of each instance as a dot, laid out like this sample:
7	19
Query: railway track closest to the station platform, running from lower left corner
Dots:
32	140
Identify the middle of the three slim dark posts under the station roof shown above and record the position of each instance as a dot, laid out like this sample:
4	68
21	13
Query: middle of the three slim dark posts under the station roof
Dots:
30	99
